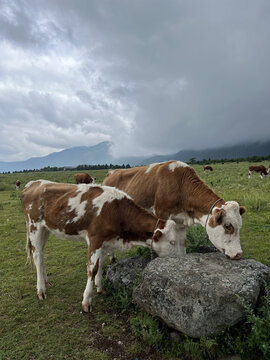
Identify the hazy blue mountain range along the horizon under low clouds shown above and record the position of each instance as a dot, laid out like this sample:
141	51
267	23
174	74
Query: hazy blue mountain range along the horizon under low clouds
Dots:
100	154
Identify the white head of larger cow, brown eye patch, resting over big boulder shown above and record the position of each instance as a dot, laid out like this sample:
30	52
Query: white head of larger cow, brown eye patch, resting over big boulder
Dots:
223	228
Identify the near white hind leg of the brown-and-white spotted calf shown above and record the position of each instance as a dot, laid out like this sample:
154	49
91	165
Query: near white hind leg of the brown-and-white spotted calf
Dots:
38	237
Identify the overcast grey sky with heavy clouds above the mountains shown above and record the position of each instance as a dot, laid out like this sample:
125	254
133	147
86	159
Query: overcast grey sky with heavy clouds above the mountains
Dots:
152	76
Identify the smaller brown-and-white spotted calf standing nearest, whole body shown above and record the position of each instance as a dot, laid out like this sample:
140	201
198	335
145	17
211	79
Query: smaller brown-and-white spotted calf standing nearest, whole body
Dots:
105	217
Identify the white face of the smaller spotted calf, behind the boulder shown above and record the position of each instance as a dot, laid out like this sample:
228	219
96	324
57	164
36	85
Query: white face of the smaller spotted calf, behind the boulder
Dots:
166	241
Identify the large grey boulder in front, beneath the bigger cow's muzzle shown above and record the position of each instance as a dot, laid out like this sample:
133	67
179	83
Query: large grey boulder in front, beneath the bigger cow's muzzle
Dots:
199	294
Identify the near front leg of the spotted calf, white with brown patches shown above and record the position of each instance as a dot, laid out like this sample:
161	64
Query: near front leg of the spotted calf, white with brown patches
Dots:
92	269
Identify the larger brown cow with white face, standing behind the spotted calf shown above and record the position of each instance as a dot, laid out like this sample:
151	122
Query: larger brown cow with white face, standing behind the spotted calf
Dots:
172	190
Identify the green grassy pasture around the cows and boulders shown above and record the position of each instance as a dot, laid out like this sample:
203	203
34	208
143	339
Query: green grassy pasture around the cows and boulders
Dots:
55	328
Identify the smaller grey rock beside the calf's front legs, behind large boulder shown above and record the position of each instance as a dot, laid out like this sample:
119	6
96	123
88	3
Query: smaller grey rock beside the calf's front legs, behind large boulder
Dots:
126	271
